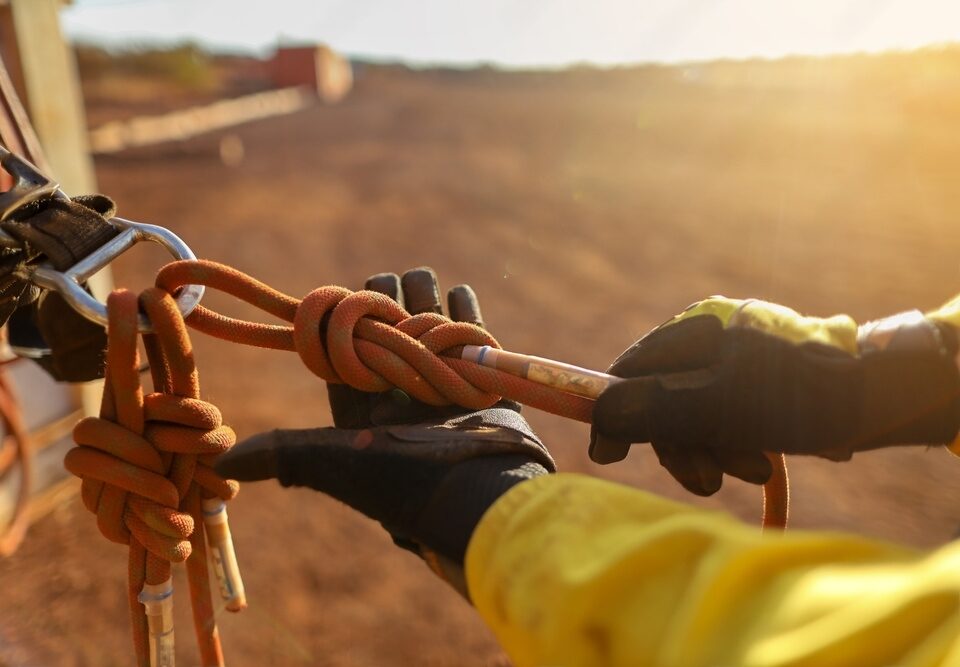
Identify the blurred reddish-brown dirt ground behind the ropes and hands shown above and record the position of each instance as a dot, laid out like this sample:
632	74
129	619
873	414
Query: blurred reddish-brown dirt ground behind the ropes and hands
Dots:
584	208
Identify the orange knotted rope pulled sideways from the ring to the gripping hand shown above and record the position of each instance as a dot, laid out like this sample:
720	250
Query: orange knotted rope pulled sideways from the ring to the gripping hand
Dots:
367	340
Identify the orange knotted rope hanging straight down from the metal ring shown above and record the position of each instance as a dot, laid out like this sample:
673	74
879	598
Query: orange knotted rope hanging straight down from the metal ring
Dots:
146	460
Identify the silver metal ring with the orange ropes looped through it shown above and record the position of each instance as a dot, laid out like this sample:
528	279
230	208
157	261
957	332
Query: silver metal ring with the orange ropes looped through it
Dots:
69	283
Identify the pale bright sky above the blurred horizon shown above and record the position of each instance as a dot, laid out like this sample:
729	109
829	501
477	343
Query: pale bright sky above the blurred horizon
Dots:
529	32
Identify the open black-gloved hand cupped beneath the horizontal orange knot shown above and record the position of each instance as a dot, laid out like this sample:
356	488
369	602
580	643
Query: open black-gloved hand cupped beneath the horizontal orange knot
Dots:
428	483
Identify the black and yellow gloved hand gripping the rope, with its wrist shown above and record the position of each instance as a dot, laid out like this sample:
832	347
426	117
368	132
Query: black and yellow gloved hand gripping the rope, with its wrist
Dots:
726	380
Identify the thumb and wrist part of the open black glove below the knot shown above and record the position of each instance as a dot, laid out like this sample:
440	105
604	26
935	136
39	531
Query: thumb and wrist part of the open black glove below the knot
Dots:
428	484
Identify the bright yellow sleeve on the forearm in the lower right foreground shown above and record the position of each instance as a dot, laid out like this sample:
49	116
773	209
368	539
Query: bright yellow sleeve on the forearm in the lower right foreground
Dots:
572	570
